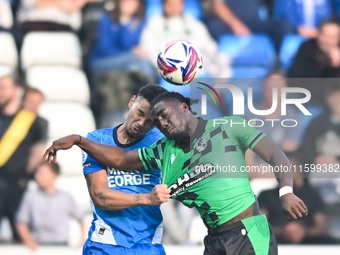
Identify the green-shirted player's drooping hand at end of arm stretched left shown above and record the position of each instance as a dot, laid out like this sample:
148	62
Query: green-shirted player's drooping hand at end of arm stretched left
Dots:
63	143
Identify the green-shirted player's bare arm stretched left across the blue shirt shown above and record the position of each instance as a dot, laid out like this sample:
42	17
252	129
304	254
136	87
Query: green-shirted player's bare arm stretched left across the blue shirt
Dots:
106	155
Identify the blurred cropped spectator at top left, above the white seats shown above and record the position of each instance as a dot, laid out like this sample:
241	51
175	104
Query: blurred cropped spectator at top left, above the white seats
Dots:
50	15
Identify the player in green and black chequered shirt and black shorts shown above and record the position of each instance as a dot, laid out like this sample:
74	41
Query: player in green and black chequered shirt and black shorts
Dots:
189	158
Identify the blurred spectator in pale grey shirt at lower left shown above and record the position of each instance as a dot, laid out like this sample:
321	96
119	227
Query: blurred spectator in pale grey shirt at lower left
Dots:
44	214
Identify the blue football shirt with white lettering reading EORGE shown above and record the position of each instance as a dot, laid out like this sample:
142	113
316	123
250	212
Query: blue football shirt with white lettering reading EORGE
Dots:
125	227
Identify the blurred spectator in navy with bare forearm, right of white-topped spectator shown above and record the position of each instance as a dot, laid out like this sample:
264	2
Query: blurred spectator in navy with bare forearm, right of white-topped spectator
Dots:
242	18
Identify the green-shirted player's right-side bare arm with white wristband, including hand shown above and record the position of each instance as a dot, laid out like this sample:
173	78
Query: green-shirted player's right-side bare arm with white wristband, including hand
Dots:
293	206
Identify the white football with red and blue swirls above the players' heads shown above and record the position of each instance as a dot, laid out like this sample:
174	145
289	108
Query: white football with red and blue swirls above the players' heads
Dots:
179	62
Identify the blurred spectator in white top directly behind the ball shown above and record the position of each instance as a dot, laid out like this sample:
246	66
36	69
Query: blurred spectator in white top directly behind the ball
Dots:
173	25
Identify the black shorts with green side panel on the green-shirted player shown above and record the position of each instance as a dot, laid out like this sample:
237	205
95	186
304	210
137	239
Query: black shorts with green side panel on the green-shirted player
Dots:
251	236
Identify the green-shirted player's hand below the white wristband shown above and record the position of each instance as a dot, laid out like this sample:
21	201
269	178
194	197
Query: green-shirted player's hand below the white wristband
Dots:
293	206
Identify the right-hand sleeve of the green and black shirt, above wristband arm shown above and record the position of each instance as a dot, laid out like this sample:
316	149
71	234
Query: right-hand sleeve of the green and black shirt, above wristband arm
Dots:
247	135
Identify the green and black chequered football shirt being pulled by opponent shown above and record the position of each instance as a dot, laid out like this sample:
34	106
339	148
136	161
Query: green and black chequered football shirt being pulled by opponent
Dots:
193	176
